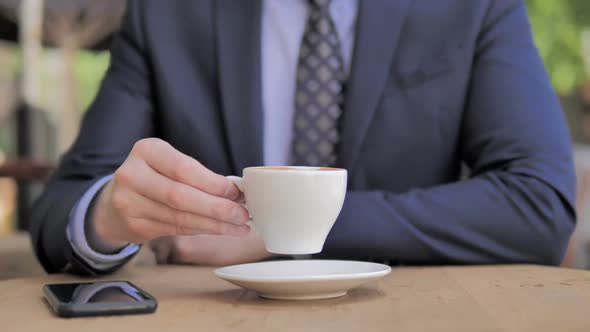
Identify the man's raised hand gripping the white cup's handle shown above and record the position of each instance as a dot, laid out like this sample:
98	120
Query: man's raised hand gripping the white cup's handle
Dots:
159	192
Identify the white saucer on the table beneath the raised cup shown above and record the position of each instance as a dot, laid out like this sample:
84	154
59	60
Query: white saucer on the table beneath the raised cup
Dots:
302	279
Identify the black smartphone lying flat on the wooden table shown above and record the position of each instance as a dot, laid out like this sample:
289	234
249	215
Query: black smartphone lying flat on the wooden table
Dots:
102	298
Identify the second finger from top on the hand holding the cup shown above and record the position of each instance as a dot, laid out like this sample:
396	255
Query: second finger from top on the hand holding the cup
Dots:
139	177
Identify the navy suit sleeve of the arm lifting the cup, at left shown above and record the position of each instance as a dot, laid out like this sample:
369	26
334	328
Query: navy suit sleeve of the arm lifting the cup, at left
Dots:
121	115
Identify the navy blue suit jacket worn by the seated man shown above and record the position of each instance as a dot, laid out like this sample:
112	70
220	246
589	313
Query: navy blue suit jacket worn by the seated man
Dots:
433	84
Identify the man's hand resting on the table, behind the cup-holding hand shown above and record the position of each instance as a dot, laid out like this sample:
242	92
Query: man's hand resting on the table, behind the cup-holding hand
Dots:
209	249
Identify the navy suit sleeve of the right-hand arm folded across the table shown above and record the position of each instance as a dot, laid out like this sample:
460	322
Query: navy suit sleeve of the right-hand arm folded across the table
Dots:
518	204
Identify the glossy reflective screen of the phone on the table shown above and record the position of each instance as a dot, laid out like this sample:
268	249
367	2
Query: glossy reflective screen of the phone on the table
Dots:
97	292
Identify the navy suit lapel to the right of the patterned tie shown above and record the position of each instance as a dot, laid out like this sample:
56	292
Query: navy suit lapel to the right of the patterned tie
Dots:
378	30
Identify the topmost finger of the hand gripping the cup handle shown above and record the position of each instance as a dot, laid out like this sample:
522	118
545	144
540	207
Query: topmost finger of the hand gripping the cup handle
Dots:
164	159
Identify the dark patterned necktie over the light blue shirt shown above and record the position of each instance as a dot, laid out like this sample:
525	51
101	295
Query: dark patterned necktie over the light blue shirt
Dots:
319	94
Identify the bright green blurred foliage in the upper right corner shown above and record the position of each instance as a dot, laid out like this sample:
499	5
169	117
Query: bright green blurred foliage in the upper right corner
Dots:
557	27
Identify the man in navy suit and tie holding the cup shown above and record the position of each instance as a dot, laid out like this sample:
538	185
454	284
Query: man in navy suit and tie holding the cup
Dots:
399	92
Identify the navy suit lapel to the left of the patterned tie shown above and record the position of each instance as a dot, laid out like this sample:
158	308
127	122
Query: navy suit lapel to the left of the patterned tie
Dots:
238	47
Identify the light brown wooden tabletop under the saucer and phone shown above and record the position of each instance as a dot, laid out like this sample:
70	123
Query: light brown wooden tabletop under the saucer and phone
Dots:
487	298
